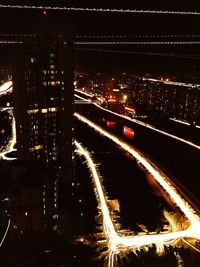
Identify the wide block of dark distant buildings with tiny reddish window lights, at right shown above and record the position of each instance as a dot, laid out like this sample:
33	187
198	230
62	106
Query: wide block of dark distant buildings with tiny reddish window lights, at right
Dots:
170	100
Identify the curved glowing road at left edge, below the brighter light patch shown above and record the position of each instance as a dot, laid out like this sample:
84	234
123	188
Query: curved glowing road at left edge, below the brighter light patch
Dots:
10	146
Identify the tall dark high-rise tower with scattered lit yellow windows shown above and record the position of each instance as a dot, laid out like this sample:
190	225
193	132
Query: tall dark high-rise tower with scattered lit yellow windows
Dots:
43	106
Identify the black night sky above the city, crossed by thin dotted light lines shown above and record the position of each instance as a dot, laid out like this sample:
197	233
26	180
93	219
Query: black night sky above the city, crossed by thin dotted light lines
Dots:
92	23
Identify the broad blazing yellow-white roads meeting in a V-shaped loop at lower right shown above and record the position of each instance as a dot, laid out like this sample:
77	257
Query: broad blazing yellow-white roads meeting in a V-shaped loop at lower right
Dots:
119	243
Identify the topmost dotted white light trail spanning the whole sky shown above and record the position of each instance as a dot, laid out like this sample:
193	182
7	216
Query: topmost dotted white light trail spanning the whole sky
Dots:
101	10
